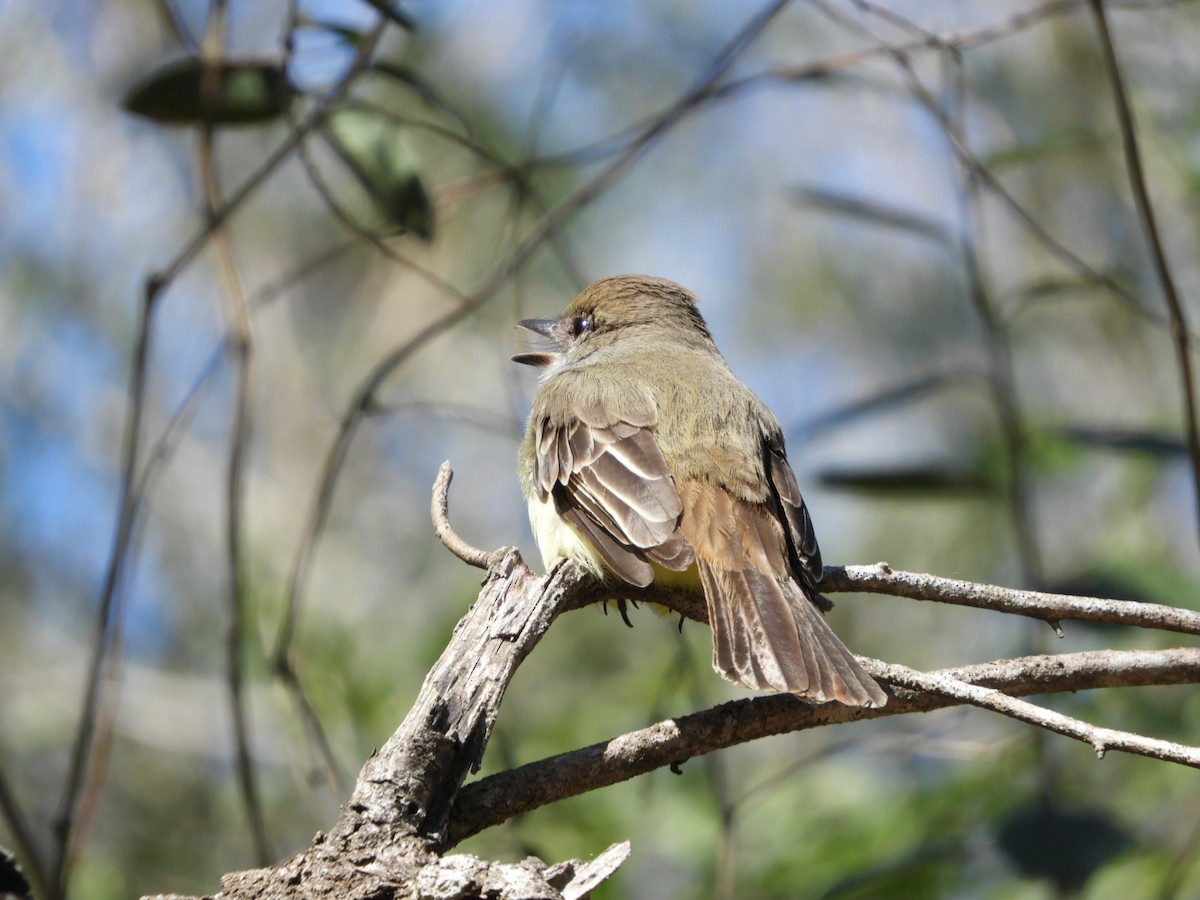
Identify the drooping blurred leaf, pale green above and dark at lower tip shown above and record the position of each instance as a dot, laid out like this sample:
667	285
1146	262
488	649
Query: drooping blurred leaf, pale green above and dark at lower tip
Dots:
375	149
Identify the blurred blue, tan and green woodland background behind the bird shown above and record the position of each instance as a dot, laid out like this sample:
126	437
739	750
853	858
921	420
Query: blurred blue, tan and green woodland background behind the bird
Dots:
913	233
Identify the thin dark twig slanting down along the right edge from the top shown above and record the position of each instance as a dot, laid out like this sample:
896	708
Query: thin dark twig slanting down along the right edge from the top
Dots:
1180	333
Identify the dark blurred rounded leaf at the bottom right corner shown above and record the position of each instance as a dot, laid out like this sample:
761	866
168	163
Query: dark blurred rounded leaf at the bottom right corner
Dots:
1066	847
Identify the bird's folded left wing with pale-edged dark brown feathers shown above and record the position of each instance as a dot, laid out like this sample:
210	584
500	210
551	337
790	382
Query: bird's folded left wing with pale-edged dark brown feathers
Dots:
609	478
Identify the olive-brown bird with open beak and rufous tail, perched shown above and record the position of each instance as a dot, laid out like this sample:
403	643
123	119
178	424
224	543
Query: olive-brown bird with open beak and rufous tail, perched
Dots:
647	460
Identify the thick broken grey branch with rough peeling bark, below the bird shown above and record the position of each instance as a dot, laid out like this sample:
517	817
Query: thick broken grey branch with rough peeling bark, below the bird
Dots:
392	832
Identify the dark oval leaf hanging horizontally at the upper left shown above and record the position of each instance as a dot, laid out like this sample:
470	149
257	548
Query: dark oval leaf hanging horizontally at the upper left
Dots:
230	93
